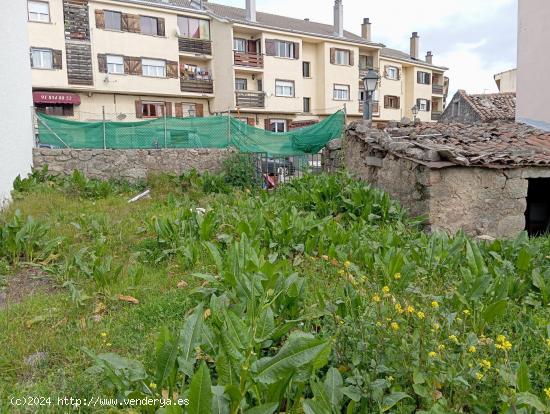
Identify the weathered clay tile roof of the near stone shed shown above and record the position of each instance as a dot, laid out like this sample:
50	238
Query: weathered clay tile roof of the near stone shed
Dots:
495	145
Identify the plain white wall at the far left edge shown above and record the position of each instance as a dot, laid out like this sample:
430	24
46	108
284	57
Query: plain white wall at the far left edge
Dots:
16	139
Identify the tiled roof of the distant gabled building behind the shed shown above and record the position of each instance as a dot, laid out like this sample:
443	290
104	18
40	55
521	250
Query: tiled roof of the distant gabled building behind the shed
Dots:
492	106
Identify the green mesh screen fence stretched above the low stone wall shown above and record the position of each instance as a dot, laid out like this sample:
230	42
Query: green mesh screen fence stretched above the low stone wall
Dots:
210	132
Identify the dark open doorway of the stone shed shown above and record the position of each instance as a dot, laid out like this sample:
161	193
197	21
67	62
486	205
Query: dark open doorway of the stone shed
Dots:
537	216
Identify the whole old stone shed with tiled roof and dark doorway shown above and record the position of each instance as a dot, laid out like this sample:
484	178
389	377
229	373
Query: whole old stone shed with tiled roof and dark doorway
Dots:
486	179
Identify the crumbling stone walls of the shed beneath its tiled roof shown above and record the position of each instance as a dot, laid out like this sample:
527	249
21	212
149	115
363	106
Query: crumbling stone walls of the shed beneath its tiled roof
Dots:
480	201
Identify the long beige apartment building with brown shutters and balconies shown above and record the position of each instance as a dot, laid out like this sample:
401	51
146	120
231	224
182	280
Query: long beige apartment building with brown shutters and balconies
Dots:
138	59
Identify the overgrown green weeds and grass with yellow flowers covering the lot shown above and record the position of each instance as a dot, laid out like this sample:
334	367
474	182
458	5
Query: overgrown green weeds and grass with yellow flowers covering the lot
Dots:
322	297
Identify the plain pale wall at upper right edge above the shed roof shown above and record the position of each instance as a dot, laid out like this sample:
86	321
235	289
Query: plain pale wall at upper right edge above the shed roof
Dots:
533	88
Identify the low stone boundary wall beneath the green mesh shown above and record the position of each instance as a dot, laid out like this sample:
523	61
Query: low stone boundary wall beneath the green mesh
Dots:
131	165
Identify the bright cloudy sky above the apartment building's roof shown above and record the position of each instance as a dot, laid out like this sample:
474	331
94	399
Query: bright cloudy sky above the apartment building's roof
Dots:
474	38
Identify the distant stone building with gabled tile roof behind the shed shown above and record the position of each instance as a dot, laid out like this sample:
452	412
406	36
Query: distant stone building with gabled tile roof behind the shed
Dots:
480	108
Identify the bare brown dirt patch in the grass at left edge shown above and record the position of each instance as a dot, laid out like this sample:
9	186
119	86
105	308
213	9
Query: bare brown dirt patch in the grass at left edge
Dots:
25	283
